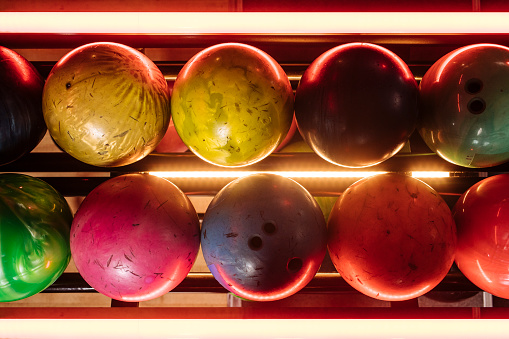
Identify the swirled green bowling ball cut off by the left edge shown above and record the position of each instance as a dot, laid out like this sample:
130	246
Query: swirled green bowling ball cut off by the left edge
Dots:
34	236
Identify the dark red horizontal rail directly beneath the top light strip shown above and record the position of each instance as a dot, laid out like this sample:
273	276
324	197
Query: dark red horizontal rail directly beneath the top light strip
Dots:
270	43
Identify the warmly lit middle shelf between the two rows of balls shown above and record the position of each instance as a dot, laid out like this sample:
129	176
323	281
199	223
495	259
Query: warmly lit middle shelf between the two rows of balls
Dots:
42	164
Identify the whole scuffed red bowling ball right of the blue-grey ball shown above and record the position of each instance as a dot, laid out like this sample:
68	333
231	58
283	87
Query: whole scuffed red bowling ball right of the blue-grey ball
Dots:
392	237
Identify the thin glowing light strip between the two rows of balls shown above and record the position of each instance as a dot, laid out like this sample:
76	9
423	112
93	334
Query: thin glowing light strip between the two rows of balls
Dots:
288	174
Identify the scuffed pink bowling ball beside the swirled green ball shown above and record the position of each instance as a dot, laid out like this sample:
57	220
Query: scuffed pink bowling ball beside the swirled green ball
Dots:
135	237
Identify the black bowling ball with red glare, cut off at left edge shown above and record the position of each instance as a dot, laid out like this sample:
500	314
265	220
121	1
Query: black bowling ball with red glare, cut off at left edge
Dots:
22	124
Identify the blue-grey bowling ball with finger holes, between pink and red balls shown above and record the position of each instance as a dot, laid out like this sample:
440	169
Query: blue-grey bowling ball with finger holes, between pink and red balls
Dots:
263	237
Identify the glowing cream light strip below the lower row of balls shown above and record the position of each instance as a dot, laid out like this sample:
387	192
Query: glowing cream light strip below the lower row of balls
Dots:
254	328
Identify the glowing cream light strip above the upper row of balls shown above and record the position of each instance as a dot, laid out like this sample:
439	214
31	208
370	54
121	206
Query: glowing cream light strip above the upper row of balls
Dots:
254	22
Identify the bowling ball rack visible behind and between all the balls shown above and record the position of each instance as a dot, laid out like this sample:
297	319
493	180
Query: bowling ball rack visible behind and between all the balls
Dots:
295	53
